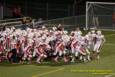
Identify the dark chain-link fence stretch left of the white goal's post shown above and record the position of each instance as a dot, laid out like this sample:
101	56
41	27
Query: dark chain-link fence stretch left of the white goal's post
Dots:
68	22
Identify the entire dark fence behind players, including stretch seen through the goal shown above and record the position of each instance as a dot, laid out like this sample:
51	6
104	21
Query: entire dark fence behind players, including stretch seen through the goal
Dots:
100	22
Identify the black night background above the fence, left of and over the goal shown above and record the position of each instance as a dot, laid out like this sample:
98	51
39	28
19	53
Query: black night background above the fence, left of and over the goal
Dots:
49	9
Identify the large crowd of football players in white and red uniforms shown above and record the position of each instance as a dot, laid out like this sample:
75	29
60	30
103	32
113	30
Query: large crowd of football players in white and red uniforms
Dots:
56	44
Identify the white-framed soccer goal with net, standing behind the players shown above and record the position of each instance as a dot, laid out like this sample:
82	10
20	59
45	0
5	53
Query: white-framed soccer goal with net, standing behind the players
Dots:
100	15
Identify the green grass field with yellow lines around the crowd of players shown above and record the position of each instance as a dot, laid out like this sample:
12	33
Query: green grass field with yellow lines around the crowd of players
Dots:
107	62
